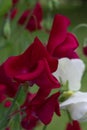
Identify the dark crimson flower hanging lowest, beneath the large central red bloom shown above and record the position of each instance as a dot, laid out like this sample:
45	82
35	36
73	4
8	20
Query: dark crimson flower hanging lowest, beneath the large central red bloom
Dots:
39	110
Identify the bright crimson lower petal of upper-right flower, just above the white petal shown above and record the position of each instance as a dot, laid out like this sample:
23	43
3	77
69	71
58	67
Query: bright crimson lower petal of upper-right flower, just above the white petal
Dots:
66	48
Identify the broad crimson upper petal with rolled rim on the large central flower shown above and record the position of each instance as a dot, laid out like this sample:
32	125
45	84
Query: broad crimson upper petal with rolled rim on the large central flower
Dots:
29	65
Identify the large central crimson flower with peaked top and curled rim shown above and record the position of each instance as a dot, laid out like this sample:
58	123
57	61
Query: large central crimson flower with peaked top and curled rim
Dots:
34	65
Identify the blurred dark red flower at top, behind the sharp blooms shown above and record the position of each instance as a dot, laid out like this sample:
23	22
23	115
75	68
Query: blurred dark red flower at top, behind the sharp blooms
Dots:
35	18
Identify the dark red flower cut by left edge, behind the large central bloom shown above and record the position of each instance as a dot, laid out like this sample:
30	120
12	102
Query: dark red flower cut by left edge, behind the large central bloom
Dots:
7	86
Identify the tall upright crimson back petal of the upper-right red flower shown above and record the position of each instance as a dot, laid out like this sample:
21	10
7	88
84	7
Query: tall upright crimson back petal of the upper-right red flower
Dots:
58	32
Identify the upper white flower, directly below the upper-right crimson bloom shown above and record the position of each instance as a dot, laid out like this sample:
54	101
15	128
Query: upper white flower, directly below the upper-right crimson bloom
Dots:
70	70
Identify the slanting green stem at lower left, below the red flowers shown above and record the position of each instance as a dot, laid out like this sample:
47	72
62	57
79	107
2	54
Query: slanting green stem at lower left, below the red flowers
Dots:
5	120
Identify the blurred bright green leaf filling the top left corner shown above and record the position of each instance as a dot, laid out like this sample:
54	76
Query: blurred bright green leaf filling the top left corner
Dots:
5	6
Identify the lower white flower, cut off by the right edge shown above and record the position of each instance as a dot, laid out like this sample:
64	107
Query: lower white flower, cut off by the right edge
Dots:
77	106
